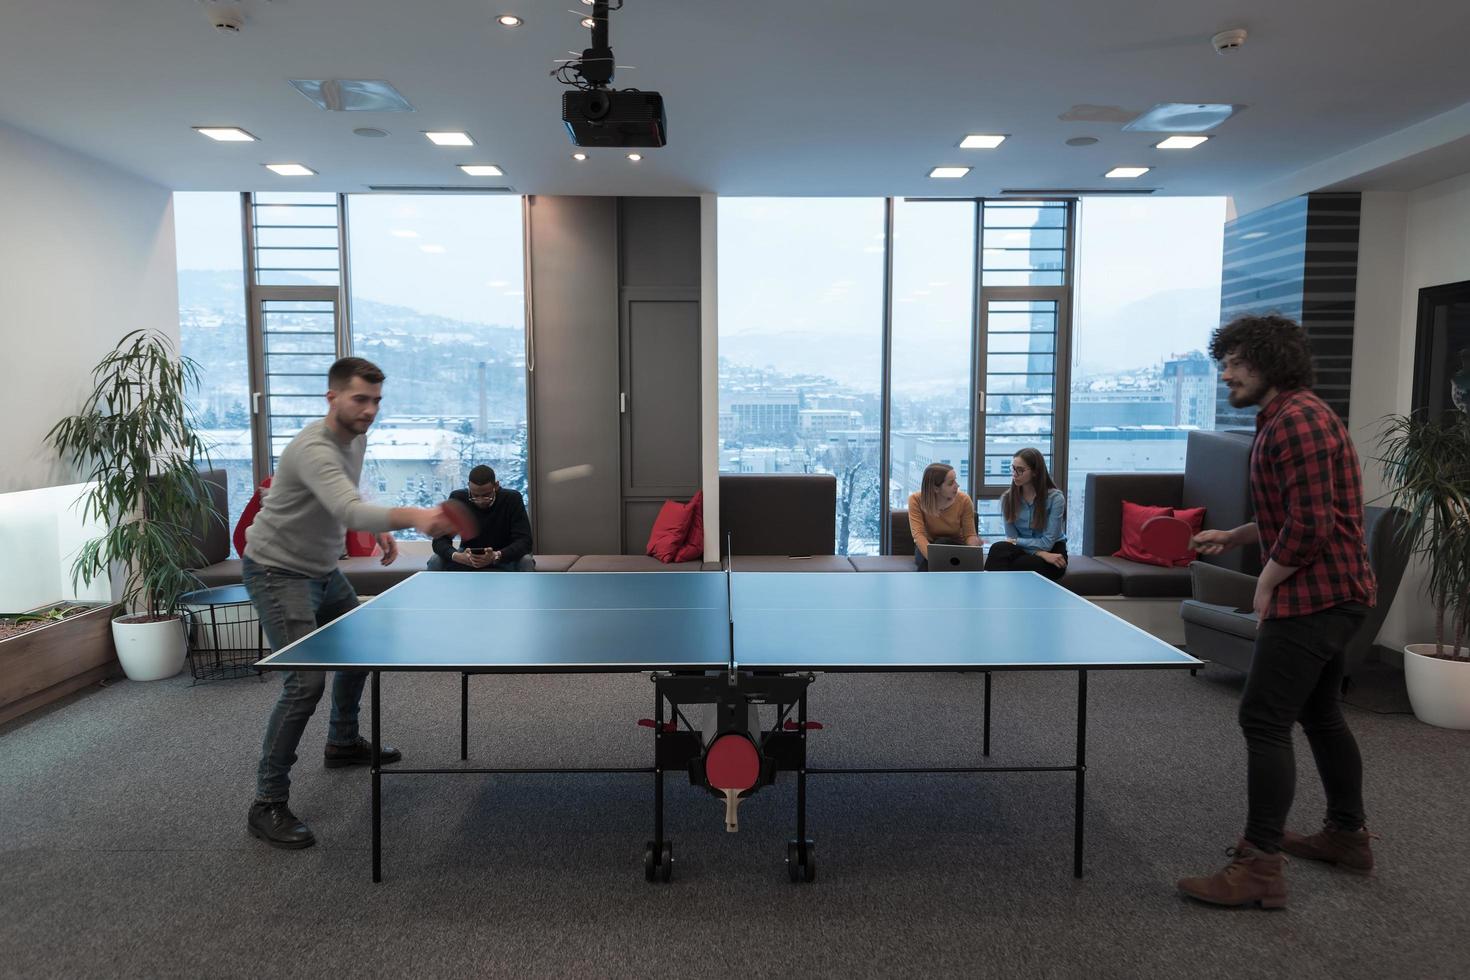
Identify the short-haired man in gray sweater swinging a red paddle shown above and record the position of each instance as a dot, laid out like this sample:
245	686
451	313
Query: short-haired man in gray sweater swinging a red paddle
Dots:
290	571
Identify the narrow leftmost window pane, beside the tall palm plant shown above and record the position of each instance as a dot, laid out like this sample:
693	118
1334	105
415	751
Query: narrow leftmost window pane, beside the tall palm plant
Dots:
212	331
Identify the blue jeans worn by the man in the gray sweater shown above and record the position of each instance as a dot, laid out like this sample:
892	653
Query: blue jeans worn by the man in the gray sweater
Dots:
292	606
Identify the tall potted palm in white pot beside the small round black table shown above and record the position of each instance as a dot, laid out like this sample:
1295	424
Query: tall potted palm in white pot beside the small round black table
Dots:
136	443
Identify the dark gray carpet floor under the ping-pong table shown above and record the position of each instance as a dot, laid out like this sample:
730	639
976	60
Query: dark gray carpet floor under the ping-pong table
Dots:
126	854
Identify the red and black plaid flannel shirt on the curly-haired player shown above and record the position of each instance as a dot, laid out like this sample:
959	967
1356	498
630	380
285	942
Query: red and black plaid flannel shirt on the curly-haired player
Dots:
1308	490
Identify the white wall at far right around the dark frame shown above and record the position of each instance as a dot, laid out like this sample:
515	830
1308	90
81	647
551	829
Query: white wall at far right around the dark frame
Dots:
1406	243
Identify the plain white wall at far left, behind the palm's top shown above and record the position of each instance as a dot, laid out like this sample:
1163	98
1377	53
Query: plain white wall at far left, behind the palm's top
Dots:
86	256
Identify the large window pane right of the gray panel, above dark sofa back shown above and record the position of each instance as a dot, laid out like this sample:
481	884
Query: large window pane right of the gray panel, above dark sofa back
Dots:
802	320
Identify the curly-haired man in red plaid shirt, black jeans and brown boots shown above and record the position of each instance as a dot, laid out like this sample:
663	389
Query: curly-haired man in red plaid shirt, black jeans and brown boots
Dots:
1313	593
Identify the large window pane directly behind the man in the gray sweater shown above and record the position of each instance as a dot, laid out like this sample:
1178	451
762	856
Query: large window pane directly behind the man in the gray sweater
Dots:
437	302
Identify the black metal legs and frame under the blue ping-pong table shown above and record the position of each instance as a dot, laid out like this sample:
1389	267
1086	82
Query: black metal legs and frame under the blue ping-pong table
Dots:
1078	768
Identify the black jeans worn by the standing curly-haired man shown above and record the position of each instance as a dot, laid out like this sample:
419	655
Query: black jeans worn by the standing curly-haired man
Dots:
1296	677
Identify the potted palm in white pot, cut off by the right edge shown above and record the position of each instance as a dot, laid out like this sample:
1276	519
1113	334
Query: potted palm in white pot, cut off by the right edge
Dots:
1427	464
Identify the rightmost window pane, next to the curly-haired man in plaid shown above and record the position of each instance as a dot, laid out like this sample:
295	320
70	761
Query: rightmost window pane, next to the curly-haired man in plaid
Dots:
1149	296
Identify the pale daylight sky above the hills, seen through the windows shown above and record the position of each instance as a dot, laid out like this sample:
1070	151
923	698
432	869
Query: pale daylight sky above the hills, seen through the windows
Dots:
800	281
